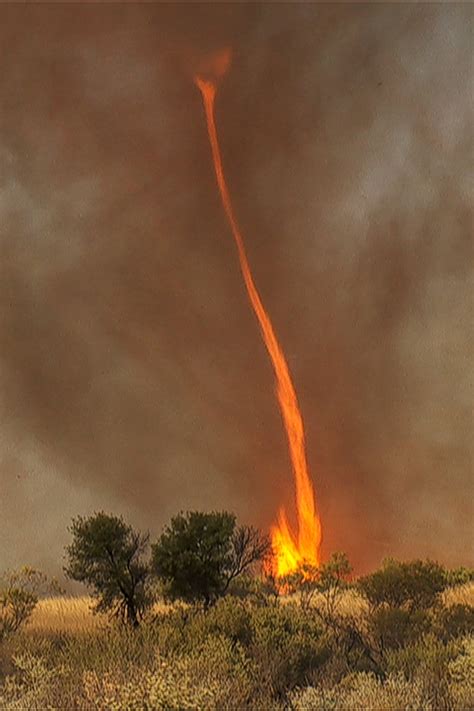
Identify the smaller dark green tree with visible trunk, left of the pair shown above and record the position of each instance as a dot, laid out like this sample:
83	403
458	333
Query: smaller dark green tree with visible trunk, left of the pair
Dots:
107	555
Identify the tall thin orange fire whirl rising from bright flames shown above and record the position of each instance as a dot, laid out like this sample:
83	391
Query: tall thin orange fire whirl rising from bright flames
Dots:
289	549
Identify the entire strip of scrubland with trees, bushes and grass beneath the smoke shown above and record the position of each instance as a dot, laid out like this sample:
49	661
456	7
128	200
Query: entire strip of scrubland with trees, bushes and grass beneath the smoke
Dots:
399	638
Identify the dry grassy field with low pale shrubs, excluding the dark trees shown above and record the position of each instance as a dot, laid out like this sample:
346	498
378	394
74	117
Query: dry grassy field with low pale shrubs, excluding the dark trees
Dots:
239	655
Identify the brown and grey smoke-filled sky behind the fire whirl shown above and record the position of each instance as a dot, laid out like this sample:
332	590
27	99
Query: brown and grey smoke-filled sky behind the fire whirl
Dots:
132	375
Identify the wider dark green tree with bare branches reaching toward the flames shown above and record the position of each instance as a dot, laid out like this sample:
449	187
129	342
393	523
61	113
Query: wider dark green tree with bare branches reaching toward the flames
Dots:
198	555
